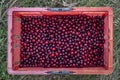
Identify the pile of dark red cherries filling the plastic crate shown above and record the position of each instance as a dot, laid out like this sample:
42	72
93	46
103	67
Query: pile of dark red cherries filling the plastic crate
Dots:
62	41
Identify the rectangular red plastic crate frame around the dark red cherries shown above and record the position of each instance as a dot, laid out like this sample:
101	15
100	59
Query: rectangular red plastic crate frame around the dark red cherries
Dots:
14	29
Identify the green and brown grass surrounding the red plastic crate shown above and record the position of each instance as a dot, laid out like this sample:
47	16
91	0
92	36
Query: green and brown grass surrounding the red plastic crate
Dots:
5	4
